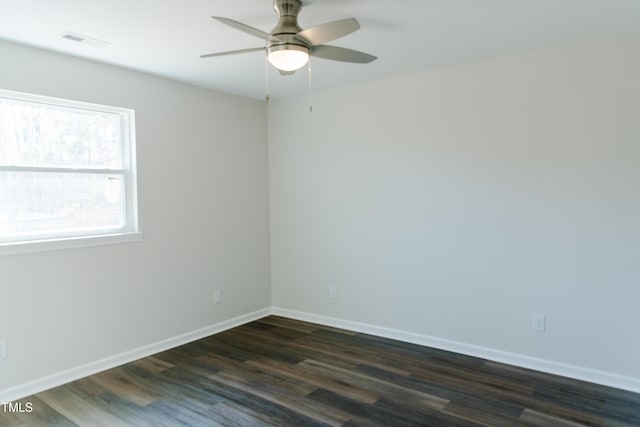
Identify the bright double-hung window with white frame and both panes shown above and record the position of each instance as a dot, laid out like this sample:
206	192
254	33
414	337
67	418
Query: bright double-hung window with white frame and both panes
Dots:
67	173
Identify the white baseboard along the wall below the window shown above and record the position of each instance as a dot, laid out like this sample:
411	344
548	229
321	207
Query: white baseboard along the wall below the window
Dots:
36	386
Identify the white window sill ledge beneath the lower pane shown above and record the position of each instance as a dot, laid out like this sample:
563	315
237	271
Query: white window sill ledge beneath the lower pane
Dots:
14	248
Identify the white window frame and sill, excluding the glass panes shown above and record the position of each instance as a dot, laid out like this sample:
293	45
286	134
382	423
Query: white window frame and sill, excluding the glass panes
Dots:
130	232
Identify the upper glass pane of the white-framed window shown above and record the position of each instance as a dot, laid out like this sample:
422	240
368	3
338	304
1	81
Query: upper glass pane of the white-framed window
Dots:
35	134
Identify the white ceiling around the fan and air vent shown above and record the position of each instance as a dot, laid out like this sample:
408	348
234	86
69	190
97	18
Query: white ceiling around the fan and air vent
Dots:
166	37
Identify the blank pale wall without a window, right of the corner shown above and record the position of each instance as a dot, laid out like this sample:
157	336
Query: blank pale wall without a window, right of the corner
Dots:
458	202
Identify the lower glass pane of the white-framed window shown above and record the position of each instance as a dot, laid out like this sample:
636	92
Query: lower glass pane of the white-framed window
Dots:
48	203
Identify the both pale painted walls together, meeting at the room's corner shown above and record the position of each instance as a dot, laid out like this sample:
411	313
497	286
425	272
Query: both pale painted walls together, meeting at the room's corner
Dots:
453	203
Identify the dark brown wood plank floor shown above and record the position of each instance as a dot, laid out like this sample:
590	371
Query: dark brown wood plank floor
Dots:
281	372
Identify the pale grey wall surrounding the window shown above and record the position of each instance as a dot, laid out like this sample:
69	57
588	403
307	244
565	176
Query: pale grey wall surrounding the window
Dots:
203	206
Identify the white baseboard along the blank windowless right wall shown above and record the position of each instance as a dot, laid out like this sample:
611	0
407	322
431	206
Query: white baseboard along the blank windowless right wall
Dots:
543	365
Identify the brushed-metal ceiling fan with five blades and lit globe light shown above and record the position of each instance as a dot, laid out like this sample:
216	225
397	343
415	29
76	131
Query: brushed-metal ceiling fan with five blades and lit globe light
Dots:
288	46
